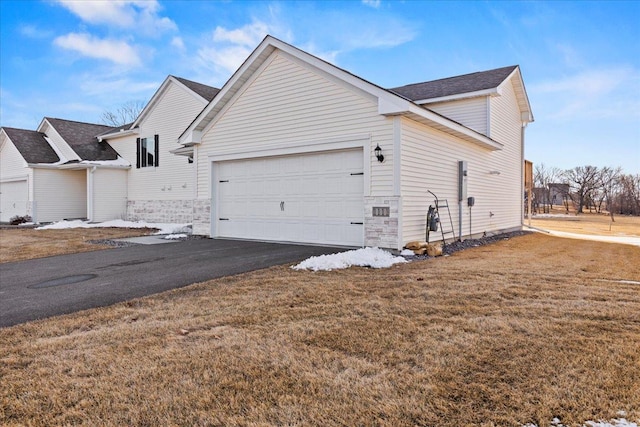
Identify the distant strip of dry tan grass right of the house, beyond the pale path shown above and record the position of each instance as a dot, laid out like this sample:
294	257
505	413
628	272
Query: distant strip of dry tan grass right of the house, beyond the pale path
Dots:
596	224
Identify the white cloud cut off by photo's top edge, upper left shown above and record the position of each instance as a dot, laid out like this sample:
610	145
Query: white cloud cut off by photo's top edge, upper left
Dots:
139	14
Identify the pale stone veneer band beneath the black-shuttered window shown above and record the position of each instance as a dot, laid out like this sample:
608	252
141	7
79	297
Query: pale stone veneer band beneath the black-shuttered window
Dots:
167	211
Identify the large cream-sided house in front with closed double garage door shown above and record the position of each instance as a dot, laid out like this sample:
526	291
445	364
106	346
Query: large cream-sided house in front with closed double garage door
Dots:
286	151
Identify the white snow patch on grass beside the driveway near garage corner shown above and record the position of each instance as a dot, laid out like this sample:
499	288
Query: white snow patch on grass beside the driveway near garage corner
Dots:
365	257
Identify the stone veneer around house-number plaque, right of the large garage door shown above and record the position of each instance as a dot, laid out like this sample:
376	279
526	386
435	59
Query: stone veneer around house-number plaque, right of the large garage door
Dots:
381	231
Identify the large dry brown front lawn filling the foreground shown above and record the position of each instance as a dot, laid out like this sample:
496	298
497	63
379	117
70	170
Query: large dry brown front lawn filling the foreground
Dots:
516	332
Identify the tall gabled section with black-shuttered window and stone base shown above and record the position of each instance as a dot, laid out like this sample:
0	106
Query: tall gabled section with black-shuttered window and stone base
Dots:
160	185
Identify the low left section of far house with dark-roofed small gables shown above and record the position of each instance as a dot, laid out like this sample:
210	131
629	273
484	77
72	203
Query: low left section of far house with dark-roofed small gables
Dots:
56	172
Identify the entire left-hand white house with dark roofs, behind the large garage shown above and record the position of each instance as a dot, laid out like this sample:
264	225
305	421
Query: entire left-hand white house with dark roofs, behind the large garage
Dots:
69	169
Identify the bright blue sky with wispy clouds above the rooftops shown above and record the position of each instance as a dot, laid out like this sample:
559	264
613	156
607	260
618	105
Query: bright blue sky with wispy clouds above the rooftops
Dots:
580	60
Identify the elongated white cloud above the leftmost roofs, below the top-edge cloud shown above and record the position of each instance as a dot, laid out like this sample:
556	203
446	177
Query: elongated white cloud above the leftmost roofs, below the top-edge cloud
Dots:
116	51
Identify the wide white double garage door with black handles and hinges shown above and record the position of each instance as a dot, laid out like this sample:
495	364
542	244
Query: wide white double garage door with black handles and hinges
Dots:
307	198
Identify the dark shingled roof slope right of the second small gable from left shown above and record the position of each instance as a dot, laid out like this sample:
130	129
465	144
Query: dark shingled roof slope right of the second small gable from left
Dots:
82	139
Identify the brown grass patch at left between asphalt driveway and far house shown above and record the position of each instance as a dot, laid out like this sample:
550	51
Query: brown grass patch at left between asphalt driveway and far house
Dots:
18	244
